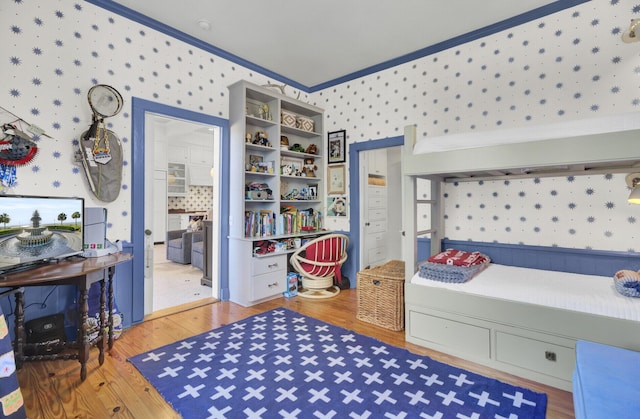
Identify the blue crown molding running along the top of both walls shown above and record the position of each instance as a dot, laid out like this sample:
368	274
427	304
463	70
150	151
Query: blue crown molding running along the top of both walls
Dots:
450	43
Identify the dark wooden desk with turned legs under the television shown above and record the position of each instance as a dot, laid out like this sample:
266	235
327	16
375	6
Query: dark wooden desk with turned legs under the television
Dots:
71	271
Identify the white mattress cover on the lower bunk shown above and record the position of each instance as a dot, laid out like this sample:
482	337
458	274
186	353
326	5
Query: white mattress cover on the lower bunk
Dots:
583	293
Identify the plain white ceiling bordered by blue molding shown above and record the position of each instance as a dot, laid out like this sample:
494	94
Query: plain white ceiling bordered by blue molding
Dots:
312	43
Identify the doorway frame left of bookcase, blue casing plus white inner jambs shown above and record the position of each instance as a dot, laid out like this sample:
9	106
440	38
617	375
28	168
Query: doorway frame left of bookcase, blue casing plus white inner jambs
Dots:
142	204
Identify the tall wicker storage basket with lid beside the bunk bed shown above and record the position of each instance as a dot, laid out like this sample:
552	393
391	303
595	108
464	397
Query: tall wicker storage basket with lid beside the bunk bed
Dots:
381	295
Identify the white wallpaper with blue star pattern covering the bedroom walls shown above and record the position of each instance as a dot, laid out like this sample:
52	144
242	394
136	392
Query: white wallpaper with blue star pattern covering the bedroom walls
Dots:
567	66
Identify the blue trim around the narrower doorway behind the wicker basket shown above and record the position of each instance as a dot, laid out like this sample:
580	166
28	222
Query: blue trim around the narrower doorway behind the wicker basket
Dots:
354	186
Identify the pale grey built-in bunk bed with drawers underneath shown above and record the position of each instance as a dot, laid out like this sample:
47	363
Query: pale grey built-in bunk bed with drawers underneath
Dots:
526	311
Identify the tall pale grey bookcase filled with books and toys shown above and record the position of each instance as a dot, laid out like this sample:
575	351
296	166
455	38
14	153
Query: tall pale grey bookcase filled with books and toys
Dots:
271	135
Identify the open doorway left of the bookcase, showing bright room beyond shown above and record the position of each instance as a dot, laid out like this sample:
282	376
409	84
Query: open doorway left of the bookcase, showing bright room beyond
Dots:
182	200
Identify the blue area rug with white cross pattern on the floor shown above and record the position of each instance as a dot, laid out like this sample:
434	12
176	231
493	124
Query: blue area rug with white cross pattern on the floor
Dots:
281	364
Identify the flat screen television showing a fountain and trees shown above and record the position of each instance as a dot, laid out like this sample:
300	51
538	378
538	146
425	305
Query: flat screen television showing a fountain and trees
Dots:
38	229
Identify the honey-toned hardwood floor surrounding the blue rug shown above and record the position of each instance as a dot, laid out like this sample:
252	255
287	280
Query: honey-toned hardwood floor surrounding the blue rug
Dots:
53	389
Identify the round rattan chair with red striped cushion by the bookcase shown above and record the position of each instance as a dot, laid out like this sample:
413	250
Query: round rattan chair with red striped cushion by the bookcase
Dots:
319	262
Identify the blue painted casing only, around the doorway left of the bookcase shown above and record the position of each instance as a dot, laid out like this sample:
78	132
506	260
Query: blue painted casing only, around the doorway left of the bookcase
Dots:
139	108
